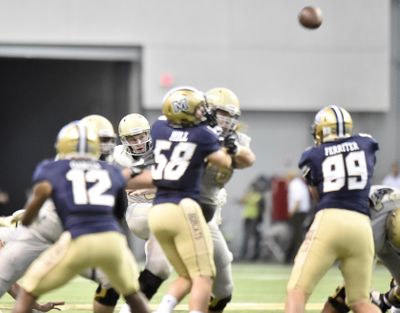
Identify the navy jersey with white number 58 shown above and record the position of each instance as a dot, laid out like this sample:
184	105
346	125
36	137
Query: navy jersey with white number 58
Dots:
180	159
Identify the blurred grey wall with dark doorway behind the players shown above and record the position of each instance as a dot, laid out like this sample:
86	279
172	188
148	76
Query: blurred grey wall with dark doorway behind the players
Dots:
61	60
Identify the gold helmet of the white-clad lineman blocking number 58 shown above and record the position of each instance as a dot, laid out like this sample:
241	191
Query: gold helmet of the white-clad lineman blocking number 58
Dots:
226	107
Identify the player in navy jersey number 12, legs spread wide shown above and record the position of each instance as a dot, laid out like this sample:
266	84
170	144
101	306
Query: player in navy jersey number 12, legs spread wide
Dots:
89	197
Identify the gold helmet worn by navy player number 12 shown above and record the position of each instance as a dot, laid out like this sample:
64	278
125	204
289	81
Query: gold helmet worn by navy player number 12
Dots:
77	139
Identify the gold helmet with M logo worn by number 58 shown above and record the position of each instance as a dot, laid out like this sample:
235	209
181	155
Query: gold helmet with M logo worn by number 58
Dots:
184	106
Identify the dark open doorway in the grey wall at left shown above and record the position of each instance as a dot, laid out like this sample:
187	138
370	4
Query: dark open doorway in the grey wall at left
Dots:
38	97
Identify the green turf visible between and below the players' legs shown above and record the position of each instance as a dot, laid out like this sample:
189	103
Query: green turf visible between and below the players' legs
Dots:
259	287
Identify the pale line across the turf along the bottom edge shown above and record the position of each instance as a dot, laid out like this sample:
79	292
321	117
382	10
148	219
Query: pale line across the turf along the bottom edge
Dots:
237	306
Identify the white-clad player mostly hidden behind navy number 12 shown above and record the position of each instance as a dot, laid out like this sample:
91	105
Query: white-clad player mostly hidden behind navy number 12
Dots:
29	242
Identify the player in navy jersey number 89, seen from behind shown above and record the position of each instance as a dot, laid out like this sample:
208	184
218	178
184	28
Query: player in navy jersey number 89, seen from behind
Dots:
338	170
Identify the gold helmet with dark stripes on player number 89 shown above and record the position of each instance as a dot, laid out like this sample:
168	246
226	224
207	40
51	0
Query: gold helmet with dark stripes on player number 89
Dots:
331	123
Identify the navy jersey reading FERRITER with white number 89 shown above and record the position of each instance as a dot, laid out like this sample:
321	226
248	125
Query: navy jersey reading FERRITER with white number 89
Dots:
342	171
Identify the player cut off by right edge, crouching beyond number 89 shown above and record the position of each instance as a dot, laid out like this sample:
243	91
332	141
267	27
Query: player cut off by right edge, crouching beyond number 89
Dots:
385	215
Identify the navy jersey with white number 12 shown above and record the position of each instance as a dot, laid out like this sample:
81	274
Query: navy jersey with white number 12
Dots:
88	194
